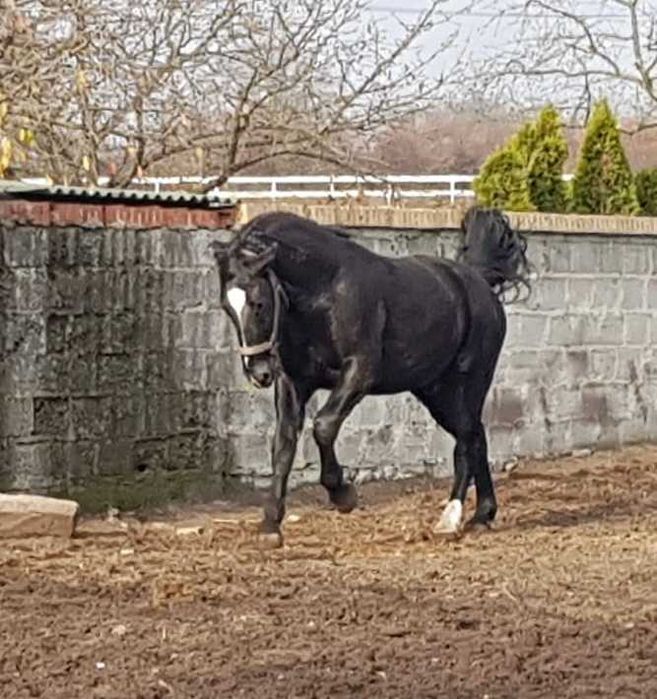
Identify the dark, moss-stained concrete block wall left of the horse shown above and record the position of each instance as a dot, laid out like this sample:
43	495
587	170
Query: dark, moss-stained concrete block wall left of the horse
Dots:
115	357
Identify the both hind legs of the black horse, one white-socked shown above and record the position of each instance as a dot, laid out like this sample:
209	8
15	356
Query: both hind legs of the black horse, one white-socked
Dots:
456	405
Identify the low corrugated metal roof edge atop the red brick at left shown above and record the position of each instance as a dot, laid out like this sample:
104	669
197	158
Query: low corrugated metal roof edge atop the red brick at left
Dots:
26	190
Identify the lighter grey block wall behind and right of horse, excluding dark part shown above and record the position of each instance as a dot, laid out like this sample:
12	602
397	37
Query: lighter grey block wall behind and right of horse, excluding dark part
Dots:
578	368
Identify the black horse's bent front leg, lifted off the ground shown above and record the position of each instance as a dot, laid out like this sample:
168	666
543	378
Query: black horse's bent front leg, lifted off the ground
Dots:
353	385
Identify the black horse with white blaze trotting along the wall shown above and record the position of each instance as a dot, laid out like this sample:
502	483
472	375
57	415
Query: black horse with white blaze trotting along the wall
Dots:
313	309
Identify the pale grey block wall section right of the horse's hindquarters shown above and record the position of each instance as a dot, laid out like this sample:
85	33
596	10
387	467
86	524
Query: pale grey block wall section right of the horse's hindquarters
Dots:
579	367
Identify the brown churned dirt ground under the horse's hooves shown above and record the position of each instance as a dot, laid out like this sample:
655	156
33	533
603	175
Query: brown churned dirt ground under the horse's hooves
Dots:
559	600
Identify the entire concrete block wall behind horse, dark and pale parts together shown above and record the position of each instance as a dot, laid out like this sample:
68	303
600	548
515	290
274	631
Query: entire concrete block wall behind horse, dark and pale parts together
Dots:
120	384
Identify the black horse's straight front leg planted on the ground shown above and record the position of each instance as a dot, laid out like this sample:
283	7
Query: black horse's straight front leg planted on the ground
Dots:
290	410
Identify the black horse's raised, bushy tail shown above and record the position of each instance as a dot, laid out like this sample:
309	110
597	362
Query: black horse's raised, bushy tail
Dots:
495	249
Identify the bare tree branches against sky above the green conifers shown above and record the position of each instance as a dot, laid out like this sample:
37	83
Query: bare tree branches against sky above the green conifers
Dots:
571	53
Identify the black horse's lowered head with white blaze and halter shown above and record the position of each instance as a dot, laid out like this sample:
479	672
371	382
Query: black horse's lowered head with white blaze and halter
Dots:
253	298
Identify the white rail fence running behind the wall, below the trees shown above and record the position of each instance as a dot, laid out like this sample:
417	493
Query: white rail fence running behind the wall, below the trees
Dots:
387	187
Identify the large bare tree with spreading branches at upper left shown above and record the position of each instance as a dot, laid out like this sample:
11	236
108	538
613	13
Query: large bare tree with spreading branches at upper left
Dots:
122	89
